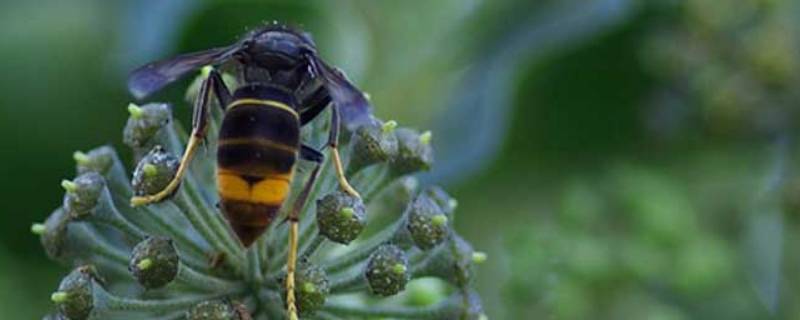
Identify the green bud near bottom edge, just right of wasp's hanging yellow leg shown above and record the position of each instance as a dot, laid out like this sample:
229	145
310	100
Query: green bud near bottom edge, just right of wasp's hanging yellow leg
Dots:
311	288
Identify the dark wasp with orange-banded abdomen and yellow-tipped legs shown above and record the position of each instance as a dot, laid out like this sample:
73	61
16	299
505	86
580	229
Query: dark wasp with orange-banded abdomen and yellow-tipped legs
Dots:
285	85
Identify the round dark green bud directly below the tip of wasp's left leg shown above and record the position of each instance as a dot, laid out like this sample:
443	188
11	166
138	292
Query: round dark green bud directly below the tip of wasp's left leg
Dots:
154	262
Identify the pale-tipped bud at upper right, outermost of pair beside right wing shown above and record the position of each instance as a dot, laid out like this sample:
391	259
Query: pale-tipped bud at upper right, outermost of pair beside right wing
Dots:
414	152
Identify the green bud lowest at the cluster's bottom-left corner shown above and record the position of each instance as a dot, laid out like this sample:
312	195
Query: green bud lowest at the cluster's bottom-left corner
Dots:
75	295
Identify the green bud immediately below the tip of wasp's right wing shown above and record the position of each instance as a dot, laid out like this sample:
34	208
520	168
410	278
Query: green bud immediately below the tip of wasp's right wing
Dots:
373	143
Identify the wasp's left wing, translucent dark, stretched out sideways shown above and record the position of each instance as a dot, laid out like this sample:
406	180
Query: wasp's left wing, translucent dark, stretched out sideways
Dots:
154	76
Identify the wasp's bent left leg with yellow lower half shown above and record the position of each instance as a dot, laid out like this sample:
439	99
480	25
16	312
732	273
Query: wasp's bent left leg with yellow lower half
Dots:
199	125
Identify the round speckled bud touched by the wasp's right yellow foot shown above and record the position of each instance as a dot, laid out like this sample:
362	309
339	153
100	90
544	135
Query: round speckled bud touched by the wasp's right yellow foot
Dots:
340	217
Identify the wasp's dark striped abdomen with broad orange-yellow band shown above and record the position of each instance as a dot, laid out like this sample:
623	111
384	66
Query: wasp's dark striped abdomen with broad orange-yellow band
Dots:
257	150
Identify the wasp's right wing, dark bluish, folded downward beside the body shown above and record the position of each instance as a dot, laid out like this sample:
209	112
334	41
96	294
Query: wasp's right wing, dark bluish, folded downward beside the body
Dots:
351	102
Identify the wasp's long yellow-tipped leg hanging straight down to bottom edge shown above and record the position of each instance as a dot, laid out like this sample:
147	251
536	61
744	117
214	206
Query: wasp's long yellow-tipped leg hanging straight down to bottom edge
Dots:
294	216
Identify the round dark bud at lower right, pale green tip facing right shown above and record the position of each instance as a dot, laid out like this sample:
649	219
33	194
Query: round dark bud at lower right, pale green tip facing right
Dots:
387	271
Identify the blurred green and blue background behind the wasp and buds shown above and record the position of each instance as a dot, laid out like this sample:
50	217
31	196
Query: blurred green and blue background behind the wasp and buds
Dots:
616	159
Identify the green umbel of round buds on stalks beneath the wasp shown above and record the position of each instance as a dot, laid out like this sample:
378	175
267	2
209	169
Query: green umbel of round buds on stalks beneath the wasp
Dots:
178	259
